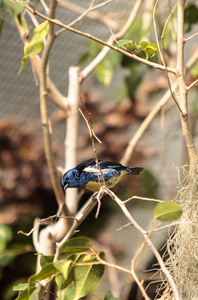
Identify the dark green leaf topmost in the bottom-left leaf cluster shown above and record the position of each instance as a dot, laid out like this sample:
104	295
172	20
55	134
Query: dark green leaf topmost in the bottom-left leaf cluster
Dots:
75	245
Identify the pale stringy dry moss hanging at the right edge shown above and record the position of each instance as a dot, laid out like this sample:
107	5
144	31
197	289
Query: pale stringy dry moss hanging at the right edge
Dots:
182	246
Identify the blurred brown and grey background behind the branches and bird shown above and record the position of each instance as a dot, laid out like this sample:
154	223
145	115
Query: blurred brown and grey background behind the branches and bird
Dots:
119	95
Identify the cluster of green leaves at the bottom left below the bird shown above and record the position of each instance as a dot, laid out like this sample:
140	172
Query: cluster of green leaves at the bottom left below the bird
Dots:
77	273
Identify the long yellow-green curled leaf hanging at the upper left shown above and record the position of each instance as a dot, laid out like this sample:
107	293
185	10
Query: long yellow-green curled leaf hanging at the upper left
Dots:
36	44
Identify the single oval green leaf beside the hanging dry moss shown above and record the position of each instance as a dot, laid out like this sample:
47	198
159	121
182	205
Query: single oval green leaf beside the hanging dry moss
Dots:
167	211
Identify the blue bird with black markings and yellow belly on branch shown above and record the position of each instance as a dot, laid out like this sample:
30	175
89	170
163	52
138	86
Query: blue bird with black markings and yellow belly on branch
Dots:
87	175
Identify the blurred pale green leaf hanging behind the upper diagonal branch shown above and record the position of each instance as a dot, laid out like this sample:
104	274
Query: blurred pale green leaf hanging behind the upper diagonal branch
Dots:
104	72
